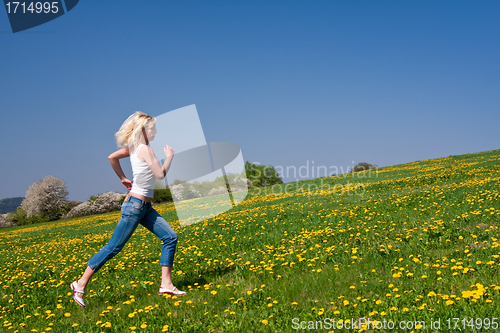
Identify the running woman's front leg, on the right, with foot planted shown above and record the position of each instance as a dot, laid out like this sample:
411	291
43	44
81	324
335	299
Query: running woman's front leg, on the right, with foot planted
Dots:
157	225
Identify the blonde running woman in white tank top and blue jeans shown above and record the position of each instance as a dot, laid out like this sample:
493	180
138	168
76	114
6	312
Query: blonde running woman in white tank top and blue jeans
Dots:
133	140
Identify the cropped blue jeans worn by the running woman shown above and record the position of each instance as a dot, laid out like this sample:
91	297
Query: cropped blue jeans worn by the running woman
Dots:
135	211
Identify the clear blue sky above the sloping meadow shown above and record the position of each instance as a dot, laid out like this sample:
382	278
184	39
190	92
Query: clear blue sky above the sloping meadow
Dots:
386	82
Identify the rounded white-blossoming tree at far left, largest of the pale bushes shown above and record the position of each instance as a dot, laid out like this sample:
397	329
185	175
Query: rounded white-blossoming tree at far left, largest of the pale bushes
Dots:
45	196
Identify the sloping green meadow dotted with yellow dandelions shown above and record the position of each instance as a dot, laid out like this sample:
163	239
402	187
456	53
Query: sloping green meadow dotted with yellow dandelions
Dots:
416	242
